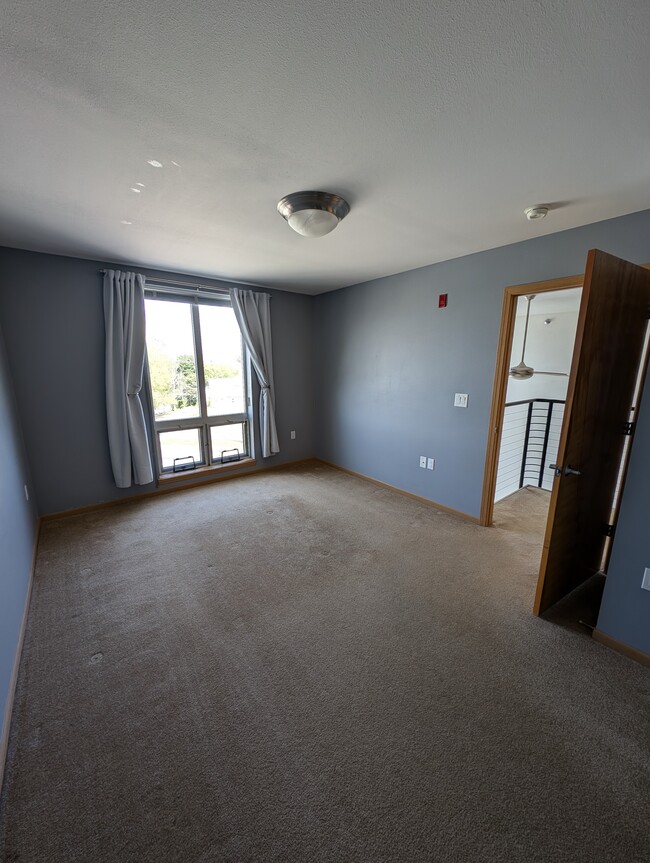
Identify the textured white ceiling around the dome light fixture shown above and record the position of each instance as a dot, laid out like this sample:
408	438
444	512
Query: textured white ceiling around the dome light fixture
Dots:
439	121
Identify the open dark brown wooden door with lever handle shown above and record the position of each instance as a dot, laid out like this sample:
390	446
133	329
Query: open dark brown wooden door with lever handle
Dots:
608	350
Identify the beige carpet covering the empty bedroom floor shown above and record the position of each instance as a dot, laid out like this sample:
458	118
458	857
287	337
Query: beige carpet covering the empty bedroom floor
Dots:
301	666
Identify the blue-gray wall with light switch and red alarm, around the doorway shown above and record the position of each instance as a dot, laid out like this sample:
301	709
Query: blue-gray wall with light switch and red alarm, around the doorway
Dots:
389	362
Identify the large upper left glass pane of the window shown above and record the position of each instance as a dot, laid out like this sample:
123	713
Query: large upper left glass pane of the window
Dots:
172	368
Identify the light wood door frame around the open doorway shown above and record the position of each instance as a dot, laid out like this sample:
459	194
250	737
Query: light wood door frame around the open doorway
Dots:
500	386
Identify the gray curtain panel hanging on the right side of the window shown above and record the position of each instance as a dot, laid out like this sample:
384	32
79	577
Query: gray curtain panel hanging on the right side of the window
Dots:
253	313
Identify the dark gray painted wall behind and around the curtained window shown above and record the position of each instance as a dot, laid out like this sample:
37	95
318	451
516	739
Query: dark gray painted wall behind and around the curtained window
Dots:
54	325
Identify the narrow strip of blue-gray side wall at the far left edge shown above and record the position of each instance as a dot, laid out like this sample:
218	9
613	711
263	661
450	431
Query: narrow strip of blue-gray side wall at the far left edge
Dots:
17	532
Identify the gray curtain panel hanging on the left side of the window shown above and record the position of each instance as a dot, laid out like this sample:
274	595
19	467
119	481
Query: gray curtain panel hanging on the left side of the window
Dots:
125	346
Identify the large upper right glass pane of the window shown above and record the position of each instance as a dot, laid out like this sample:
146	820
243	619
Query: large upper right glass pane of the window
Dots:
222	361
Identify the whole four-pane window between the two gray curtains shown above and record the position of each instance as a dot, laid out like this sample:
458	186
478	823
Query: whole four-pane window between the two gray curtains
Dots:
198	381
